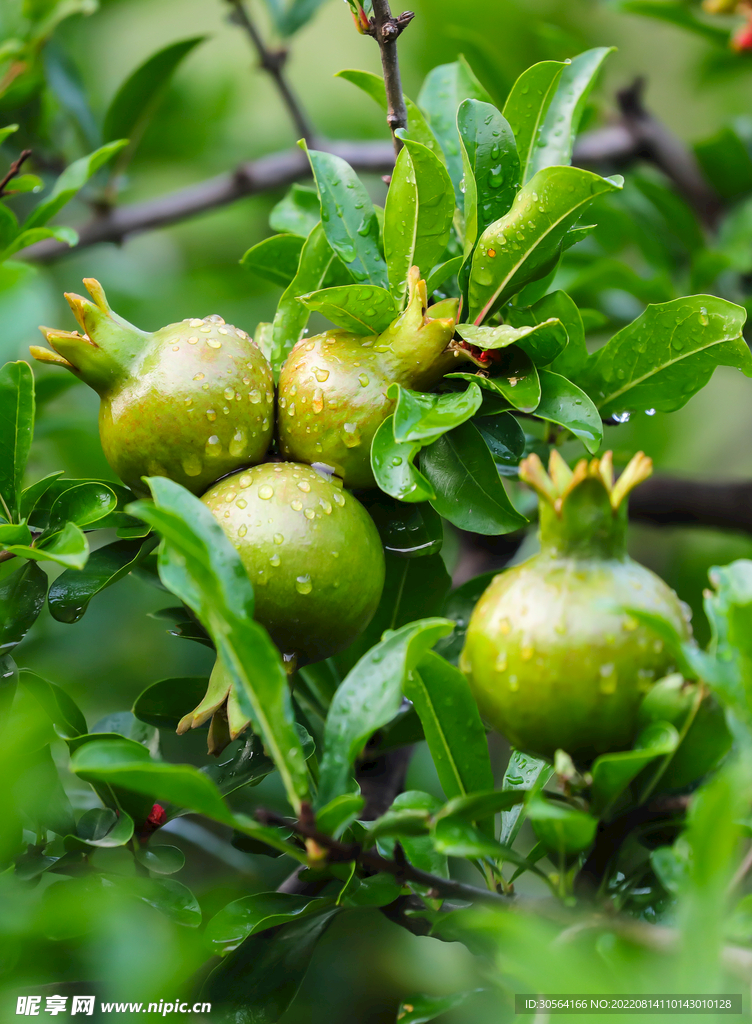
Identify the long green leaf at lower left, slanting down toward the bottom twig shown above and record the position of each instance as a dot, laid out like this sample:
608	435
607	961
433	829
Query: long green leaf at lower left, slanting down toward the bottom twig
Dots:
120	763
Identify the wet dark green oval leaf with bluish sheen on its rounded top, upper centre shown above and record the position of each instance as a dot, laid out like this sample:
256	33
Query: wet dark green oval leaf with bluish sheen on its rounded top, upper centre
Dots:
491	167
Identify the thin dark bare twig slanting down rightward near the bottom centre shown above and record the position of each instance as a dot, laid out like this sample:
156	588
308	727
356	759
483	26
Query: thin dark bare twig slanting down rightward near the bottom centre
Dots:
402	870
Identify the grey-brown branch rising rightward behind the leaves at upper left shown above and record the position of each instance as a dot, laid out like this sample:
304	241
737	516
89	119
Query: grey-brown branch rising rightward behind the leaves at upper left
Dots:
265	175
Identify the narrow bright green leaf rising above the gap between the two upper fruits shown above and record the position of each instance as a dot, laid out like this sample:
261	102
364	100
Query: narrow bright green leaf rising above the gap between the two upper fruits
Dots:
318	263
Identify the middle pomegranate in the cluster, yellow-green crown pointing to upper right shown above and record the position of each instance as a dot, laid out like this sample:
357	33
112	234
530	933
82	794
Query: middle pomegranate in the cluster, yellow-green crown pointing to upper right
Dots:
332	393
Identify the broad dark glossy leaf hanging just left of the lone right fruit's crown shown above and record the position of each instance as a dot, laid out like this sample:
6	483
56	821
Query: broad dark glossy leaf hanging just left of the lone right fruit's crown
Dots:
470	491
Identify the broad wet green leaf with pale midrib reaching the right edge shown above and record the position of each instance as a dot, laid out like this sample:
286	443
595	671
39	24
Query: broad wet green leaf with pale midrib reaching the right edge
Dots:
665	357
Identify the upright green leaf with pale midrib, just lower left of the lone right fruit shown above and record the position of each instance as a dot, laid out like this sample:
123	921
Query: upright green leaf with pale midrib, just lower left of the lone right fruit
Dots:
452	727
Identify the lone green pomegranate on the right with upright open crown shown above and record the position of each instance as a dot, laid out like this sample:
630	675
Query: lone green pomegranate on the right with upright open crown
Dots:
555	659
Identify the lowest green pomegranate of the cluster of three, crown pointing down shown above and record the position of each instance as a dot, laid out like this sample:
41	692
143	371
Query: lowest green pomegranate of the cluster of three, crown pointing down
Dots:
317	565
